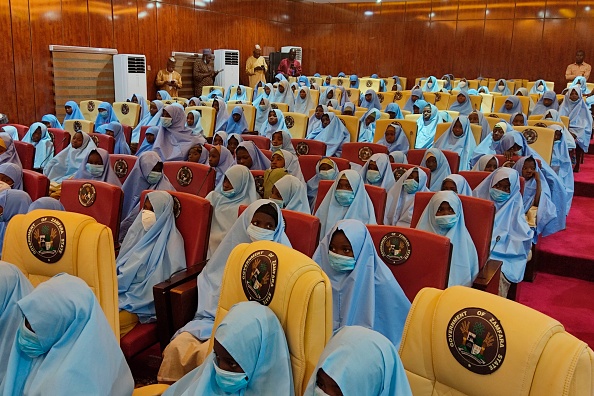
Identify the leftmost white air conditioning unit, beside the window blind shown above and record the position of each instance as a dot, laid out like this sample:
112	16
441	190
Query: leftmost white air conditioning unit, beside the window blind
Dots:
129	72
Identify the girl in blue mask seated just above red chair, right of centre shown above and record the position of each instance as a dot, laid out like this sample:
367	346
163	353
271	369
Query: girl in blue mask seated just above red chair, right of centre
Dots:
401	197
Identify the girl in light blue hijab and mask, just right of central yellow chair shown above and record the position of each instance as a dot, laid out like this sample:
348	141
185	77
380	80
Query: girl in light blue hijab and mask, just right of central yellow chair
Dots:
364	290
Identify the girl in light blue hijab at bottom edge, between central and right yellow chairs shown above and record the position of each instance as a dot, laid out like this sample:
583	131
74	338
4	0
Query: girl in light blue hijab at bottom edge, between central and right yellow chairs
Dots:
361	362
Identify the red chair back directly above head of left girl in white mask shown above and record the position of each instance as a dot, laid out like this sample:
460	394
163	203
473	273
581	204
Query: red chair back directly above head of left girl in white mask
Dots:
190	177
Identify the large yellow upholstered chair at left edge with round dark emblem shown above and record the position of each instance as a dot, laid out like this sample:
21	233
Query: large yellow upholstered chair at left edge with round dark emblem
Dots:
44	243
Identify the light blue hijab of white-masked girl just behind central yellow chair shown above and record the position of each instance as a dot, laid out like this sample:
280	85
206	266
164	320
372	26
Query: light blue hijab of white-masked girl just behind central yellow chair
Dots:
210	279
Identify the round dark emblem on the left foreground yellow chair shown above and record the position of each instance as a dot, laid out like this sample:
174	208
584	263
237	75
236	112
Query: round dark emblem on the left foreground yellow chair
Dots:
46	238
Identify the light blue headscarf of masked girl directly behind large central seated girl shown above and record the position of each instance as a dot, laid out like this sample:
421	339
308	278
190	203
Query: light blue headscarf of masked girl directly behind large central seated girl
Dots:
361	208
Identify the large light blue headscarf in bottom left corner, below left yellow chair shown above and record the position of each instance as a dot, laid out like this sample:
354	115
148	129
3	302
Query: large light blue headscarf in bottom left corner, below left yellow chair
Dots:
82	354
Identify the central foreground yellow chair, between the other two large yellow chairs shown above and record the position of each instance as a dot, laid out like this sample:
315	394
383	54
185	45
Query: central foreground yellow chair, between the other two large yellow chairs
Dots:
298	292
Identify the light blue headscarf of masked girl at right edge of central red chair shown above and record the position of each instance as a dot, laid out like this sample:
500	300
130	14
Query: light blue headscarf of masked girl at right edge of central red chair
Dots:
464	264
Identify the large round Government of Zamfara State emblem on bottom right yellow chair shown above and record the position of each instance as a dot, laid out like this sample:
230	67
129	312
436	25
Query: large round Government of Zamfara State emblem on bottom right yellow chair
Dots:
476	339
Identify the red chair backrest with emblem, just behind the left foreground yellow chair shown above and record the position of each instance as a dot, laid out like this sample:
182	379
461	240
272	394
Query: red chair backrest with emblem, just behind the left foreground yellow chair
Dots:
102	201
